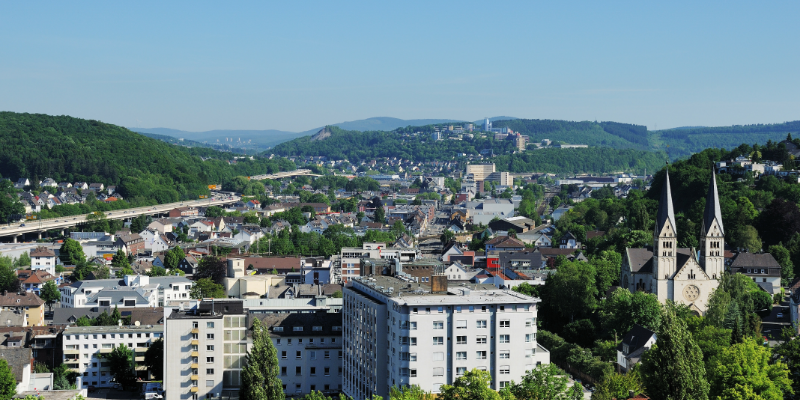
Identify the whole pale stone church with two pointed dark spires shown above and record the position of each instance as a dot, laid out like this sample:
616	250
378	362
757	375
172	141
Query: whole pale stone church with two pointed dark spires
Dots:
686	276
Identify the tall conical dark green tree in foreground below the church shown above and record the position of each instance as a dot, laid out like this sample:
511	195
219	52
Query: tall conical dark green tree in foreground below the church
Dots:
673	368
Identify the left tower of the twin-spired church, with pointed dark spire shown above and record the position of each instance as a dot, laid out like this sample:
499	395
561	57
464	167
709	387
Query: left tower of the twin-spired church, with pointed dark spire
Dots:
665	244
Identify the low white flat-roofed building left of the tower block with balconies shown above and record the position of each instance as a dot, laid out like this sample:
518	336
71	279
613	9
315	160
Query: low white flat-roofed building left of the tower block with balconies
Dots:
85	346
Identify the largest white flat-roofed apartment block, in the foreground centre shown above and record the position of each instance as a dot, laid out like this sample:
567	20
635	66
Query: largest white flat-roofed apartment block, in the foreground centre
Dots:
397	332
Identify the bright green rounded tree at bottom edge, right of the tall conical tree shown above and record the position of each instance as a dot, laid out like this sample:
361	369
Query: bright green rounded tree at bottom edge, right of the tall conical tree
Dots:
744	371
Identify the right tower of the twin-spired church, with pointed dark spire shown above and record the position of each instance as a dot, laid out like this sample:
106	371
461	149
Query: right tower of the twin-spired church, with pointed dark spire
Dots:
712	234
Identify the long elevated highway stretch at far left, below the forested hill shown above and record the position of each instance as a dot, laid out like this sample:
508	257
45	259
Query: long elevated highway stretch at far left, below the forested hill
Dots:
42	225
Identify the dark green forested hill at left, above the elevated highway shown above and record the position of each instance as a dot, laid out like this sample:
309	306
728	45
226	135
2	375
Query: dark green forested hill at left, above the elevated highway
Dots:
37	146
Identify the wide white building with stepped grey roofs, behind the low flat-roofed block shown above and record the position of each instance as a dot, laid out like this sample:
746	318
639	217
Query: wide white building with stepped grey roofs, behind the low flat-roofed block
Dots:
132	291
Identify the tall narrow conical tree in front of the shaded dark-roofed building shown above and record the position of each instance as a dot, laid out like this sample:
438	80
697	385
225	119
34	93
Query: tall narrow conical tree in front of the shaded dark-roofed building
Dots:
260	380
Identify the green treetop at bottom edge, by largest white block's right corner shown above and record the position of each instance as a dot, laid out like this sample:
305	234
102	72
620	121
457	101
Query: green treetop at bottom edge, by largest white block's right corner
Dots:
545	382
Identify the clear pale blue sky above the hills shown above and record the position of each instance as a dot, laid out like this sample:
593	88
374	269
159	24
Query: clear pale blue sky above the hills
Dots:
294	66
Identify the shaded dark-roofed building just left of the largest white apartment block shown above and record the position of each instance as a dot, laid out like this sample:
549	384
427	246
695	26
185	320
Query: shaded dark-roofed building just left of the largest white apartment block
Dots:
309	350
